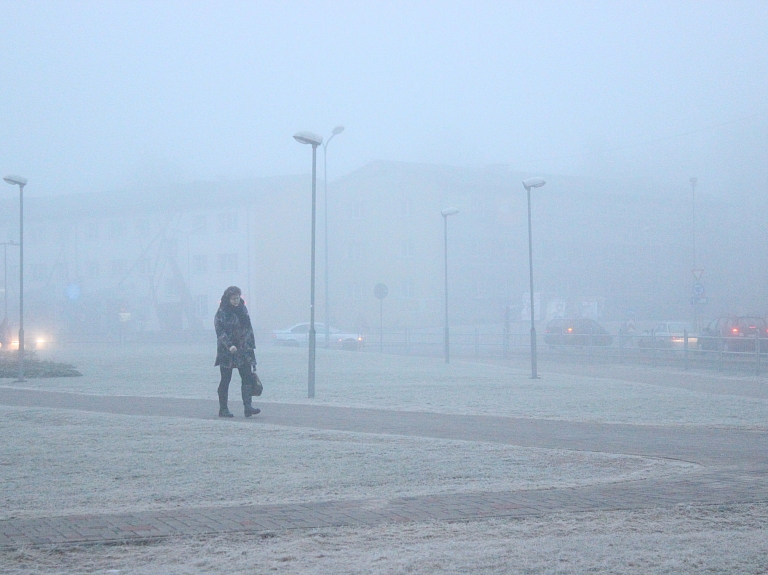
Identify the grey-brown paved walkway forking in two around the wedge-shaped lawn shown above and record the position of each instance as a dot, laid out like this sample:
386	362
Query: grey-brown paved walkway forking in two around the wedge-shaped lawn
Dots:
734	470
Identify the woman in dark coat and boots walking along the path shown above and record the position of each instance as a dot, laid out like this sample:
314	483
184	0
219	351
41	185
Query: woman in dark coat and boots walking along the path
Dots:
235	345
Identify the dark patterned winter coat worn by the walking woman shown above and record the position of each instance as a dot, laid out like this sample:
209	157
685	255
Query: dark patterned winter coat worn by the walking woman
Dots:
233	327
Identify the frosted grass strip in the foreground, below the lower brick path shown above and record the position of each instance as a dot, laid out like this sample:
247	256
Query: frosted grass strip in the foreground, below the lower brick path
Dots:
673	541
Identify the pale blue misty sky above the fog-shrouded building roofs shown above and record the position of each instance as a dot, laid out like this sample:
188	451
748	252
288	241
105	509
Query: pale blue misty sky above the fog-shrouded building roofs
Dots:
111	95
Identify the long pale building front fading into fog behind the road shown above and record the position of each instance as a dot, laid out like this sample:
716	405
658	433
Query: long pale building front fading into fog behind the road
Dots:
158	260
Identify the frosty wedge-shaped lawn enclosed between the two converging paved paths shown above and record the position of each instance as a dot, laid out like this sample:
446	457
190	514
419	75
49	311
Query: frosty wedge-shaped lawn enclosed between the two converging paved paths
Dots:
64	462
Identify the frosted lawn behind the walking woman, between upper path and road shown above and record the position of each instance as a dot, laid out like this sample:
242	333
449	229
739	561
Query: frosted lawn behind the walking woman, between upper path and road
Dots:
402	383
